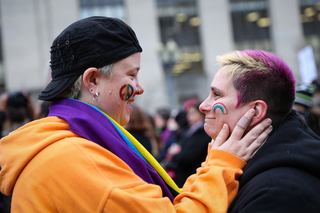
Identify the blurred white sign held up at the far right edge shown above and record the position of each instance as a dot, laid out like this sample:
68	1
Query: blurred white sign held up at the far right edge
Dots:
307	65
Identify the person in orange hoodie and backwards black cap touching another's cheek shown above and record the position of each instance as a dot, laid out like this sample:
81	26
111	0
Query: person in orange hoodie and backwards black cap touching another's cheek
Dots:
81	159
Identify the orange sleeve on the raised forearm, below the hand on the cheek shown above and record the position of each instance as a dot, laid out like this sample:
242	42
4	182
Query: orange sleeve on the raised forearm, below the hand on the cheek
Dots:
214	186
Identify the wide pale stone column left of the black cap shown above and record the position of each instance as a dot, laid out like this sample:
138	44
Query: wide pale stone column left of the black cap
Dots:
28	29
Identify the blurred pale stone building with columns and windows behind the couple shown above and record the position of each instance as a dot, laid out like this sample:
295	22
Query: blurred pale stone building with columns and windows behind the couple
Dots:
180	38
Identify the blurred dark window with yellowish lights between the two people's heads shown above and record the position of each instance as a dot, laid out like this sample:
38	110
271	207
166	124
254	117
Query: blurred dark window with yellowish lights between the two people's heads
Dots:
180	43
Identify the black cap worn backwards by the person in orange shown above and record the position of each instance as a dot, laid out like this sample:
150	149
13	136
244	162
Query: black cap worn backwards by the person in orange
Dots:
91	42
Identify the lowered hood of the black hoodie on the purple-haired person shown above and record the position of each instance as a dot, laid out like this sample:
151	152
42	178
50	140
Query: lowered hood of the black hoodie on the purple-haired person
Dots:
291	144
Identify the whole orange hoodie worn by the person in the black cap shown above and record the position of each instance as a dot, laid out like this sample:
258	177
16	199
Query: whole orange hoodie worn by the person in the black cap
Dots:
48	168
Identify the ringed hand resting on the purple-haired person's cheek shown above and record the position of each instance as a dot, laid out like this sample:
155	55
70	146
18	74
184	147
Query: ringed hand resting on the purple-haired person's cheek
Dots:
243	147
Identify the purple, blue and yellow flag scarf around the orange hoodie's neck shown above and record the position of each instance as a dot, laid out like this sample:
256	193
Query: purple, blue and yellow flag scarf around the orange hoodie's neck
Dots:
93	124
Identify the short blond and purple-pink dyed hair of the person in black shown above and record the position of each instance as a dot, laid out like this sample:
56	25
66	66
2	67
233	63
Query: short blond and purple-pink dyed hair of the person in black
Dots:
261	75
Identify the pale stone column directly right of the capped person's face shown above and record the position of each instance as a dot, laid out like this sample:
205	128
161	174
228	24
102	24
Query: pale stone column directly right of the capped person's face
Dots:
142	17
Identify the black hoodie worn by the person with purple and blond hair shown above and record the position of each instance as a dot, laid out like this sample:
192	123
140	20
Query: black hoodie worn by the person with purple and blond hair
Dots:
284	175
